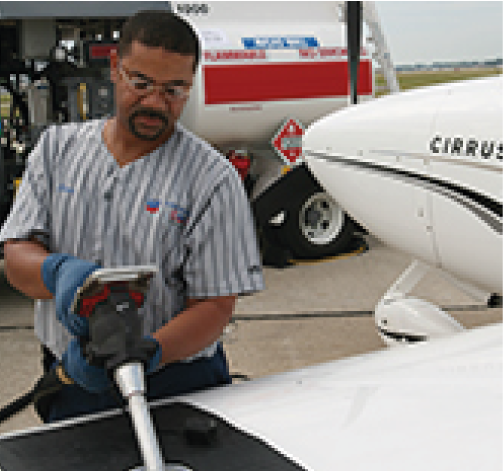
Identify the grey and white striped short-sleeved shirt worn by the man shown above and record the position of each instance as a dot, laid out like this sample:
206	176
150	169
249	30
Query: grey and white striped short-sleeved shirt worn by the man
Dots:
181	208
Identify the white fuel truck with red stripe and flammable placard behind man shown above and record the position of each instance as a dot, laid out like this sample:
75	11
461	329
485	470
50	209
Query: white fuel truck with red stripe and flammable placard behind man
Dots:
268	69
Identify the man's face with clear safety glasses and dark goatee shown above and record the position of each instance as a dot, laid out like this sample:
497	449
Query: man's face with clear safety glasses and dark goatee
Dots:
152	87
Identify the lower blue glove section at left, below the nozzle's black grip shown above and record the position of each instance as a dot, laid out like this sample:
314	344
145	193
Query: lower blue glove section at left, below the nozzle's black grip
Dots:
92	378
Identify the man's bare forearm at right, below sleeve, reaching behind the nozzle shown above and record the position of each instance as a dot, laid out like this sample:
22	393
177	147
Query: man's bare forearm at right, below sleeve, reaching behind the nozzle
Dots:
195	328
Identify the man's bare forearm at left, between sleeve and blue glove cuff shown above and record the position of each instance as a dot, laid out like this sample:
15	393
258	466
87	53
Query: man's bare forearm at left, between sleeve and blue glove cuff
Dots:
22	265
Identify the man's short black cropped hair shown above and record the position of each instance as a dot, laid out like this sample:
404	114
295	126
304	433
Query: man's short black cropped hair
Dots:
160	28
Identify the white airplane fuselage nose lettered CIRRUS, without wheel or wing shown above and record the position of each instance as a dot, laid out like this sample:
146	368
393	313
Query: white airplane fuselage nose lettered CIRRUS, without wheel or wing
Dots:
422	171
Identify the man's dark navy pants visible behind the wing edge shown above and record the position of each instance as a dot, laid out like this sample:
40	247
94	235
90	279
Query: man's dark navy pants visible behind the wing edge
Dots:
174	379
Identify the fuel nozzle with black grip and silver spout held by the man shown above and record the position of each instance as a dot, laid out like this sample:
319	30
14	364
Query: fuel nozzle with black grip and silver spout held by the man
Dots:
111	301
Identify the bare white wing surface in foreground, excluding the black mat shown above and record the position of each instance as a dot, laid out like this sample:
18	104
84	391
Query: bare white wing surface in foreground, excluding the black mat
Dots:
427	406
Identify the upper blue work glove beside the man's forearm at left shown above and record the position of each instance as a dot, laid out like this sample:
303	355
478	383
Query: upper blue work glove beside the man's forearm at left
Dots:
63	275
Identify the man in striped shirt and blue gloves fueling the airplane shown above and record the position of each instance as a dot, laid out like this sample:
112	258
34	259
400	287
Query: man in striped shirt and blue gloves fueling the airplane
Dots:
136	189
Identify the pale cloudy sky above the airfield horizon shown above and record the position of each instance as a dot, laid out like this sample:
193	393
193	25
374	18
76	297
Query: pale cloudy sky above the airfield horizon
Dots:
426	32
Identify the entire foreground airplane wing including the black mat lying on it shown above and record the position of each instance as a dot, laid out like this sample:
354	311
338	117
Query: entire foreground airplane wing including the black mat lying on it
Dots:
431	405
